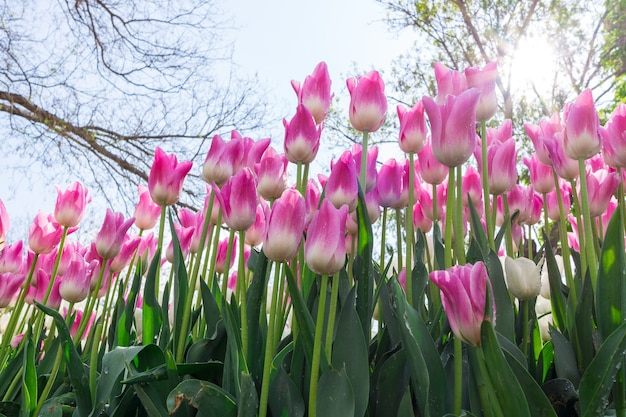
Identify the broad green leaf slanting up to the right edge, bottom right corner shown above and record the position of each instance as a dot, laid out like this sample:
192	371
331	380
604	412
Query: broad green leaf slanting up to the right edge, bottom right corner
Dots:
597	380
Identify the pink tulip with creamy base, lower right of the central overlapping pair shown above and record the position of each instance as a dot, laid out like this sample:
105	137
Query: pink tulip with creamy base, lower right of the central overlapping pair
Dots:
324	247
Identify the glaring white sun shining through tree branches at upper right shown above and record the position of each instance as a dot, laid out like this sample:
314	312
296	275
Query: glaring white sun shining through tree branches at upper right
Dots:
533	65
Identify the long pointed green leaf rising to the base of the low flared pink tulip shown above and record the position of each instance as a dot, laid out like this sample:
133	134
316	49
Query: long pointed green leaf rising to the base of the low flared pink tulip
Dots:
507	389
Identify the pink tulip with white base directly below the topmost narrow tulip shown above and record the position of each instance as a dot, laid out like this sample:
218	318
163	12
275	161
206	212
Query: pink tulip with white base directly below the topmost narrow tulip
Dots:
302	137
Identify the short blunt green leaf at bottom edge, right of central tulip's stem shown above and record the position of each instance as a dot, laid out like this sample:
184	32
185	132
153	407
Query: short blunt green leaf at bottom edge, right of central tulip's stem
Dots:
334	394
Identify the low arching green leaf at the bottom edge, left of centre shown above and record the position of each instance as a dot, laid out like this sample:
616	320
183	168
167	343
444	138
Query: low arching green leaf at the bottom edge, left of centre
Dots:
208	398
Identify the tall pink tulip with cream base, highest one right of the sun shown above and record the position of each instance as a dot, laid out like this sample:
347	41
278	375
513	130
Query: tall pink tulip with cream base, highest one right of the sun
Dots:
582	124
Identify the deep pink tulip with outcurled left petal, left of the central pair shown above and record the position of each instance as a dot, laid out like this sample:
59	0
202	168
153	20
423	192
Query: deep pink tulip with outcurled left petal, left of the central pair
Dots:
238	199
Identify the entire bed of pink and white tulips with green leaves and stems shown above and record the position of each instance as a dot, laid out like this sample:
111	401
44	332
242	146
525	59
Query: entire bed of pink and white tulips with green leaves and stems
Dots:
492	298
